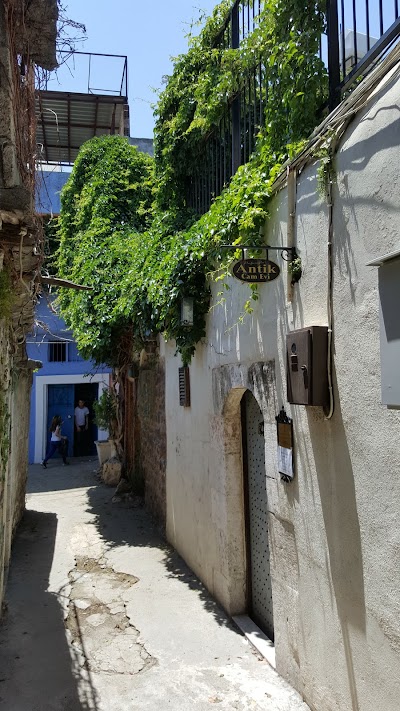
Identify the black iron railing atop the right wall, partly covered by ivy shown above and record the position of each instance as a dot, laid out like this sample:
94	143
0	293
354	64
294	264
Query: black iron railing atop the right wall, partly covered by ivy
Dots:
358	34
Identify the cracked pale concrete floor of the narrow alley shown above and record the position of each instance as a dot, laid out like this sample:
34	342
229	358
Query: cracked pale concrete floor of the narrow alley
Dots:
104	616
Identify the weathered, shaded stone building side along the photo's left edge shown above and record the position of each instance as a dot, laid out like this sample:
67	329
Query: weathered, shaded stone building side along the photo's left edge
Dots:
27	38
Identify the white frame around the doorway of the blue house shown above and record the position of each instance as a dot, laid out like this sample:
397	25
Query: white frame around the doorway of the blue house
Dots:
42	383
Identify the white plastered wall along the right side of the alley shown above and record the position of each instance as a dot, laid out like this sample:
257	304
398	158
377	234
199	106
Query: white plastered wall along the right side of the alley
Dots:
334	531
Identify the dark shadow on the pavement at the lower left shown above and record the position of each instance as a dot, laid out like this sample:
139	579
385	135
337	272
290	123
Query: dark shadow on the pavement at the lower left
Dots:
36	669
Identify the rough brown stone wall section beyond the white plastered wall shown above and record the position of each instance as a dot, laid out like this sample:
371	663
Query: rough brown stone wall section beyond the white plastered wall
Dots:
151	417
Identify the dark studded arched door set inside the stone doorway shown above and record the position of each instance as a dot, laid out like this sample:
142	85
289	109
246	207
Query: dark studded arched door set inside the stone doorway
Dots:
259	587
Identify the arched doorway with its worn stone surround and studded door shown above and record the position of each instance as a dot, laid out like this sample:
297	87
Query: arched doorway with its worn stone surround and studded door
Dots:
245	399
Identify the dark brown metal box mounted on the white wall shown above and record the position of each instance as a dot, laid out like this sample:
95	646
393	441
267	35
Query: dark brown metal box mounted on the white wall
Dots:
307	366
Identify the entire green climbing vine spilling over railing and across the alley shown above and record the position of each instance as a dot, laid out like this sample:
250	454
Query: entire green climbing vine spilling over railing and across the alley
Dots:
126	230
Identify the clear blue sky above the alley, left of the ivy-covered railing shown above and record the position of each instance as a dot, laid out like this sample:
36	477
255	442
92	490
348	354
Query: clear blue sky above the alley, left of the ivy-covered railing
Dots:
149	33
